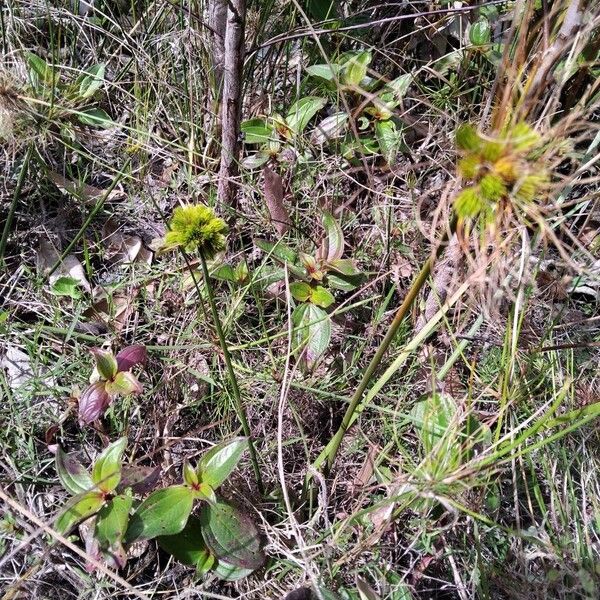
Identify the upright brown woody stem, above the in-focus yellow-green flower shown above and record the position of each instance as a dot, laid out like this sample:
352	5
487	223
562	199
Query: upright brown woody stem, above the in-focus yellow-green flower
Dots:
232	101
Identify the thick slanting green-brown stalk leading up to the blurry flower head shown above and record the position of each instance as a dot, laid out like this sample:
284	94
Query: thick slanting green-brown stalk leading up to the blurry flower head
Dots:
414	290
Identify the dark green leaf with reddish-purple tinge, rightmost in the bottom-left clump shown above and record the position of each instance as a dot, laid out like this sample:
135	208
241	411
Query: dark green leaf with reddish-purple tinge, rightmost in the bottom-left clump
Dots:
231	535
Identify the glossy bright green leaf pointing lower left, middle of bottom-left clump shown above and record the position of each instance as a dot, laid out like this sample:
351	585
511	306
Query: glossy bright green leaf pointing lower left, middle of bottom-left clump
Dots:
164	512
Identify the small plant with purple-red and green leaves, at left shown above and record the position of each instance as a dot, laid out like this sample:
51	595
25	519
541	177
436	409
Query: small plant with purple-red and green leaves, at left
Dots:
113	378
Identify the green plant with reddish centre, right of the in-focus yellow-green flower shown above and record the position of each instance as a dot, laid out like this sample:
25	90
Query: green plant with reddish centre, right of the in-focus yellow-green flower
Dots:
315	276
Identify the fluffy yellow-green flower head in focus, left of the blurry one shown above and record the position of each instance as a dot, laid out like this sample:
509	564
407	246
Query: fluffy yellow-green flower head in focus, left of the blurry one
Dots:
195	227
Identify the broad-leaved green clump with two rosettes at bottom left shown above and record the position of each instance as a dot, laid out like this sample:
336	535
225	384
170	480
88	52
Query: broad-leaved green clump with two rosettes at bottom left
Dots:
222	538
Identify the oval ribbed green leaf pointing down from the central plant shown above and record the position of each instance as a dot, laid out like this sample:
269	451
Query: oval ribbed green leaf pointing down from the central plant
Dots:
312	333
